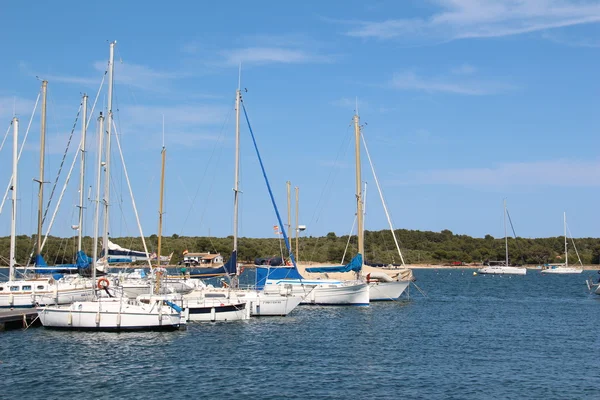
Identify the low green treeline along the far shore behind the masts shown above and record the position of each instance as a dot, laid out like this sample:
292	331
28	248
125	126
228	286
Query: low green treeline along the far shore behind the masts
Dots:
417	248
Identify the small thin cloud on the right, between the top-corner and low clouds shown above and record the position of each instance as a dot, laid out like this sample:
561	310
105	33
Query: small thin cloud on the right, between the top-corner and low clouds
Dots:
409	80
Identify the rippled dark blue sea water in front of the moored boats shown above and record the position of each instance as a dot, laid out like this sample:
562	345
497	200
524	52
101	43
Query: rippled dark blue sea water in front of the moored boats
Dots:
472	337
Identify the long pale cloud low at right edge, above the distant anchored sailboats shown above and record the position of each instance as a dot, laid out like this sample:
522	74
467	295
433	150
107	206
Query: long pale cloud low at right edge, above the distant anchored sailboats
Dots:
541	173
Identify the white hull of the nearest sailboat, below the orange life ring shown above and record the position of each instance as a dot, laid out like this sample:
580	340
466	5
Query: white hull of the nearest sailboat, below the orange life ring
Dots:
110	315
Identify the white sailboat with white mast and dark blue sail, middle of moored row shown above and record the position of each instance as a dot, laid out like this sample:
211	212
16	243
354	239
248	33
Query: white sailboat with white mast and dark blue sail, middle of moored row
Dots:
258	302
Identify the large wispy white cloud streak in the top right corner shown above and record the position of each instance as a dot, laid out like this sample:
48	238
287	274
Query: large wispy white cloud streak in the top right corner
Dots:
462	19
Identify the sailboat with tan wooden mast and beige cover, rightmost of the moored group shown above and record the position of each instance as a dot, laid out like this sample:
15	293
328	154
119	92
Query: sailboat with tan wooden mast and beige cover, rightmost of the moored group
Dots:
384	285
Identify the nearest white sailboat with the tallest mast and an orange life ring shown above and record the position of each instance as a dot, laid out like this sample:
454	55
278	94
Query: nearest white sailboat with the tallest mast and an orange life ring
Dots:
109	312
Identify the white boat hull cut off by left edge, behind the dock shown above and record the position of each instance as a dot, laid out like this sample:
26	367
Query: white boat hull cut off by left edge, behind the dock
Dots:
31	293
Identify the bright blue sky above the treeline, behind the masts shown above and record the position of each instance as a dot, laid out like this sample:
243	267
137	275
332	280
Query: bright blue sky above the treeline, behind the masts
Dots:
465	103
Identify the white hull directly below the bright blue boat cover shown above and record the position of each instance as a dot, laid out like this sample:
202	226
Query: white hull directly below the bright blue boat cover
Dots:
324	292
